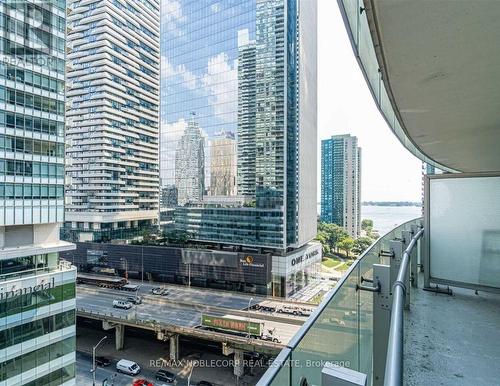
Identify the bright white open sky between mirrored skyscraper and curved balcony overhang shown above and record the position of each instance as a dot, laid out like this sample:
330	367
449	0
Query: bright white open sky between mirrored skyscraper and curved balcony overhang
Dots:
345	106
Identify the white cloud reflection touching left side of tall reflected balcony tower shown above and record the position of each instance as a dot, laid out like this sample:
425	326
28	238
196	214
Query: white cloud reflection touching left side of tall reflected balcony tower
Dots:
221	85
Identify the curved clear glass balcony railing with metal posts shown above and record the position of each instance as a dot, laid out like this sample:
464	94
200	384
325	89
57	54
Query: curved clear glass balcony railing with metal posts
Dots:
353	320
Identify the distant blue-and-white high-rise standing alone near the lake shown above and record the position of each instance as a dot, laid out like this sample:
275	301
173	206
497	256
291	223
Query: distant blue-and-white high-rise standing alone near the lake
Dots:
341	182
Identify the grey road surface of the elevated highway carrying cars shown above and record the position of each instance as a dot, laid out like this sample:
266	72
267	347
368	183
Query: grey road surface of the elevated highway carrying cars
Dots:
184	306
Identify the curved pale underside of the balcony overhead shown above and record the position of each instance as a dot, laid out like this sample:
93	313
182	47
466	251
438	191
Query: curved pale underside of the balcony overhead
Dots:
441	63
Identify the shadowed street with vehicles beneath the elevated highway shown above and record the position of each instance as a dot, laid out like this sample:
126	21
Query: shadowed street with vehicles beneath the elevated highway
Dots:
151	354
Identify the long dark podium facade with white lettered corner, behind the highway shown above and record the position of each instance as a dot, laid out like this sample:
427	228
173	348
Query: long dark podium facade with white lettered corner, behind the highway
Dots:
261	273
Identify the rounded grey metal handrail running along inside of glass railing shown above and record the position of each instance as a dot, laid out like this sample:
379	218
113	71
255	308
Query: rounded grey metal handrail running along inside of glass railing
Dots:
394	360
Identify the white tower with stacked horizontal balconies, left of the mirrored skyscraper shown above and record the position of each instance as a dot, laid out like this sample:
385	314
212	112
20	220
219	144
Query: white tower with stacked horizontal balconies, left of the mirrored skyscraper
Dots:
112	118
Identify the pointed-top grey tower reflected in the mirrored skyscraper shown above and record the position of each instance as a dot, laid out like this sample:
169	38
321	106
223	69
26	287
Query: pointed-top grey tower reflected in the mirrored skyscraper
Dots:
190	165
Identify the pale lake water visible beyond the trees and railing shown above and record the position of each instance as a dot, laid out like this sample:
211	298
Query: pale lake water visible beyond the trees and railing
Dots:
386	218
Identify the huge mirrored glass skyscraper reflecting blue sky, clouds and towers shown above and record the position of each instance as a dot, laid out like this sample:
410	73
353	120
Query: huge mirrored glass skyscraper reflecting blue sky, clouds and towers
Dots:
246	67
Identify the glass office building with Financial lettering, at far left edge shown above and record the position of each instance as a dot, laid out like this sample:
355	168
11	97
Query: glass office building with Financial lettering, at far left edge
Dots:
37	292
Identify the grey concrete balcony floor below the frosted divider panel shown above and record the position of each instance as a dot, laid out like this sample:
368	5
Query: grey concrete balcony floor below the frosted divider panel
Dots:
452	340
